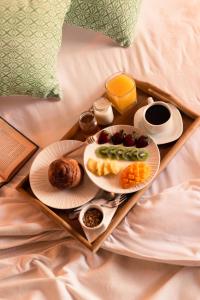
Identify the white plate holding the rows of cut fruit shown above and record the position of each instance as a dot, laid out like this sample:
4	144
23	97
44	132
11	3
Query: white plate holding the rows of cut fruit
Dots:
111	183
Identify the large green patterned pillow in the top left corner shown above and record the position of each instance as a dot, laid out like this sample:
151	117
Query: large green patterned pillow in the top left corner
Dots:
30	37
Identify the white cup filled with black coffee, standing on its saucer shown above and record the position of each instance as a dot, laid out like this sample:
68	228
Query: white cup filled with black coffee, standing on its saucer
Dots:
157	116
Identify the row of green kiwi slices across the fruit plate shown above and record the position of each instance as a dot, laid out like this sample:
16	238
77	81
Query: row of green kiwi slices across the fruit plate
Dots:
121	153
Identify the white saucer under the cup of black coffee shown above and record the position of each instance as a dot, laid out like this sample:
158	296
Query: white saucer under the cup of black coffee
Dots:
170	135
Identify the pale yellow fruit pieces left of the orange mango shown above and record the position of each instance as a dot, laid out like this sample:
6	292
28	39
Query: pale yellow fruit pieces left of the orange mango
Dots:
103	168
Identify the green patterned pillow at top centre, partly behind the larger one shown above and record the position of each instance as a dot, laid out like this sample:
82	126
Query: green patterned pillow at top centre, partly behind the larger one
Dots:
115	18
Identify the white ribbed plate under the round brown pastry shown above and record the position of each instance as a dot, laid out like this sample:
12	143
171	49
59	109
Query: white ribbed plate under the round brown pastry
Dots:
51	196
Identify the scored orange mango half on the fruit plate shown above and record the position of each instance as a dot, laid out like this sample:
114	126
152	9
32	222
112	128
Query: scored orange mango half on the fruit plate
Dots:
134	174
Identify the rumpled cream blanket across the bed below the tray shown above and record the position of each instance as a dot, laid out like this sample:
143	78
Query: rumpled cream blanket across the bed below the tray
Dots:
41	261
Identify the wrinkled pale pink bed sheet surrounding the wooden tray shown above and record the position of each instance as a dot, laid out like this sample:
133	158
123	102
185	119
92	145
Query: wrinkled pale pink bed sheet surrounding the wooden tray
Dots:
155	252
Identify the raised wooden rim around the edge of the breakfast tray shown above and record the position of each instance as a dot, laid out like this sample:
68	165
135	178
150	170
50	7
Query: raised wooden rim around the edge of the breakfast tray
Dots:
154	92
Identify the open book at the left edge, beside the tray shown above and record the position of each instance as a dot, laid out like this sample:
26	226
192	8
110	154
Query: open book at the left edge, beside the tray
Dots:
15	150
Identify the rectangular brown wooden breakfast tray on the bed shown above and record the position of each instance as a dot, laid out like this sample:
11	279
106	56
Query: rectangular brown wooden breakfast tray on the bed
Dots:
190	122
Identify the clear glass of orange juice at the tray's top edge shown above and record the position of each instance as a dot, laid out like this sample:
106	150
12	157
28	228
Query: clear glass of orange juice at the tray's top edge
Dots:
121	91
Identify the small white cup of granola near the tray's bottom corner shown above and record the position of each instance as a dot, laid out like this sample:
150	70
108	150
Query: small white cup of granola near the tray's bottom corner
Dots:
92	217
